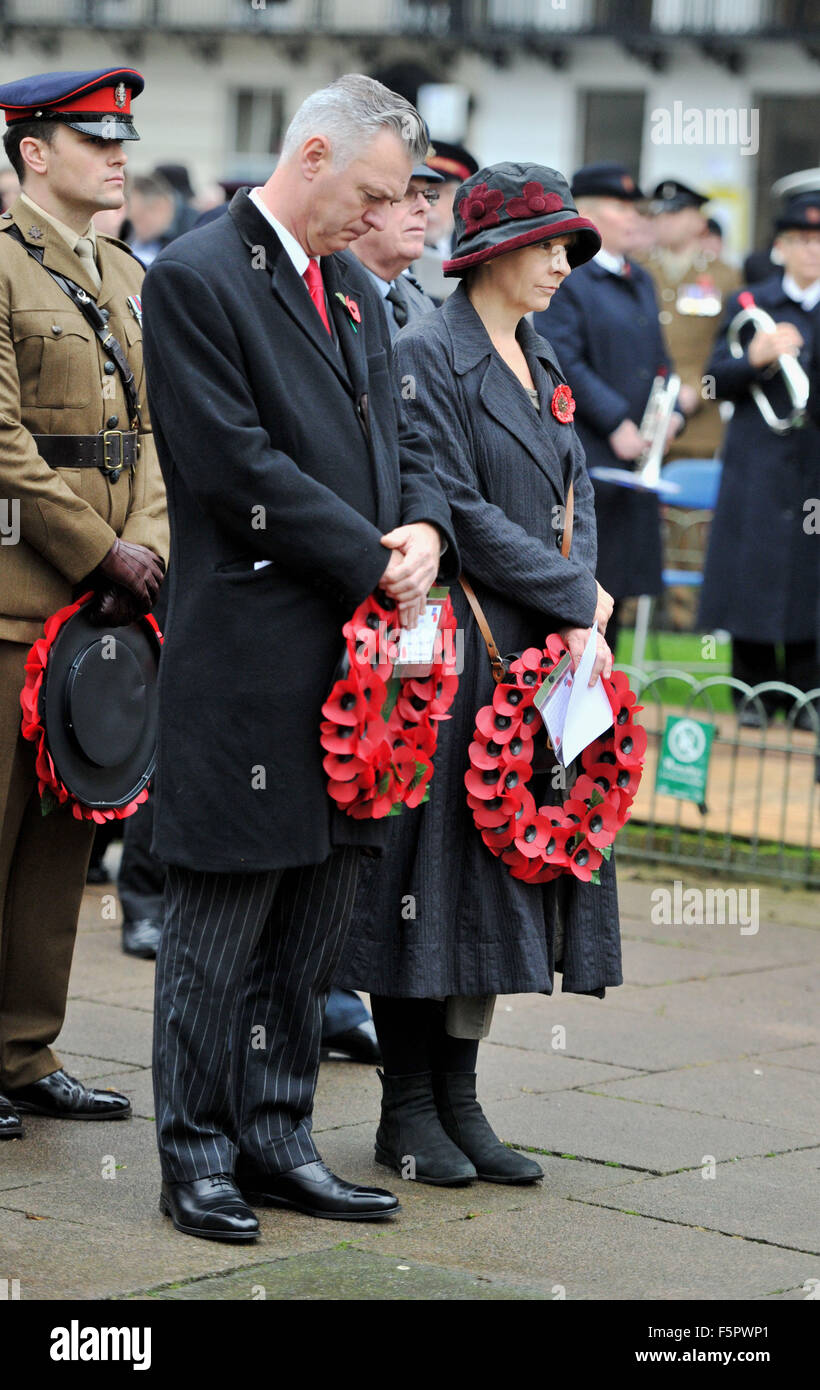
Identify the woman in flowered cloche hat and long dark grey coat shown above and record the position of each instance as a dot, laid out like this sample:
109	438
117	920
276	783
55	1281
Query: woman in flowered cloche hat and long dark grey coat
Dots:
441	928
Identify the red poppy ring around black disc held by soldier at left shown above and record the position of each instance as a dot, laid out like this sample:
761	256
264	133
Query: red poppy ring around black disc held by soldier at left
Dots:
52	790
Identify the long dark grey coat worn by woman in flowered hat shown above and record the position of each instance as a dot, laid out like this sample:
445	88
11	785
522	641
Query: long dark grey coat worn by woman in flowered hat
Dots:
438	914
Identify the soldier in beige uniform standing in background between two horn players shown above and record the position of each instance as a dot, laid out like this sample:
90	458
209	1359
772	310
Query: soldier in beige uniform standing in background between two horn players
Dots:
693	287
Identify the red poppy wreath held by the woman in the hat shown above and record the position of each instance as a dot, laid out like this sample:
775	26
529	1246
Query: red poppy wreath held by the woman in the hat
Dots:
540	843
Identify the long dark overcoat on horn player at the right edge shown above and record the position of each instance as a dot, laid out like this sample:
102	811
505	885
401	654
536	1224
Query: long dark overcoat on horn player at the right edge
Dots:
761	578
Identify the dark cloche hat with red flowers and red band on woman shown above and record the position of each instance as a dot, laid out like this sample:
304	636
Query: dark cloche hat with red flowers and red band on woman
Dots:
516	205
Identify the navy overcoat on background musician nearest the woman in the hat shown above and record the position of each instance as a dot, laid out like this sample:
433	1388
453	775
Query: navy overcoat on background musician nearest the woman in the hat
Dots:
608	337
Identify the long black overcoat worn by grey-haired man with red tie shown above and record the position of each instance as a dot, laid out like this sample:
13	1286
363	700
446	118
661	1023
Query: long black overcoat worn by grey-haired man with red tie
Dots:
279	447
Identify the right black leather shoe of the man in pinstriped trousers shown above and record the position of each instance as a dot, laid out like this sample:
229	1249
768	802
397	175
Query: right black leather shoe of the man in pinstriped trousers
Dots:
315	1191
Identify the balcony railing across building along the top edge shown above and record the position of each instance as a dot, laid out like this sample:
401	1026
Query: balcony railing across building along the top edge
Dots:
466	20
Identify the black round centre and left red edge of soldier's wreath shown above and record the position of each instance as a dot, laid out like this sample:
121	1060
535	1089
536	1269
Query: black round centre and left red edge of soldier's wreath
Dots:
91	704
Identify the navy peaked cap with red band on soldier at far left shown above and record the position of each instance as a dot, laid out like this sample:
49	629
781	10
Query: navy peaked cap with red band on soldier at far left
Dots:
94	104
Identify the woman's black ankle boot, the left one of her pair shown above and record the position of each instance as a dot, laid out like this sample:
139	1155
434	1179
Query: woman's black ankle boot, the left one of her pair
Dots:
411	1138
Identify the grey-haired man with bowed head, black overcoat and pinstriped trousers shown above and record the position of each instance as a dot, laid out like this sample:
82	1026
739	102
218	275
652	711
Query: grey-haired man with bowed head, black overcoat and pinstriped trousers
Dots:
295	489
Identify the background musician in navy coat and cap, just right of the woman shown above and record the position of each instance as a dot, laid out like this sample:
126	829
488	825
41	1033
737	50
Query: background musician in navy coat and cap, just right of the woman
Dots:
605	330
